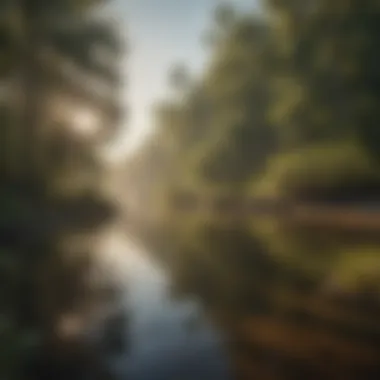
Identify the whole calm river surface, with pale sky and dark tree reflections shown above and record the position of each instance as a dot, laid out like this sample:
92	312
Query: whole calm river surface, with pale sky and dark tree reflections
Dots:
264	301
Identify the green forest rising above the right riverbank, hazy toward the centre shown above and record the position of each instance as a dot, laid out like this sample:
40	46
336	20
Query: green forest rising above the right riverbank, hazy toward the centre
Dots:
285	109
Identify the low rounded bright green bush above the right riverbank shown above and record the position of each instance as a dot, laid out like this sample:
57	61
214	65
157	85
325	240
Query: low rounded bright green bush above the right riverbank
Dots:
319	169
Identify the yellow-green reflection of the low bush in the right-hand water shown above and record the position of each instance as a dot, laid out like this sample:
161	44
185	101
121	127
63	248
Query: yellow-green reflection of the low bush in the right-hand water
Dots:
350	265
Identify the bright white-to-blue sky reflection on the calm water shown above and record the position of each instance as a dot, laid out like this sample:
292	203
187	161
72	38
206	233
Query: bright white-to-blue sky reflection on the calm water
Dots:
164	339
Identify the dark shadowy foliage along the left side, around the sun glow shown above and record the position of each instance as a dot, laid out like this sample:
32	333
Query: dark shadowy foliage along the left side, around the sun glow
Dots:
39	154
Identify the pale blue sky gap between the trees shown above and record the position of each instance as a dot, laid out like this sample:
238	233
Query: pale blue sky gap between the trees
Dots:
160	33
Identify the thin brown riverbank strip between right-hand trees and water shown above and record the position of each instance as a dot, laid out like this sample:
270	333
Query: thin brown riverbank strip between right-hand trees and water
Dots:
358	216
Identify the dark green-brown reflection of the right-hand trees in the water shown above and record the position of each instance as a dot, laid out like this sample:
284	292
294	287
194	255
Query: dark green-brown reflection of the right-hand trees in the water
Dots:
292	302
